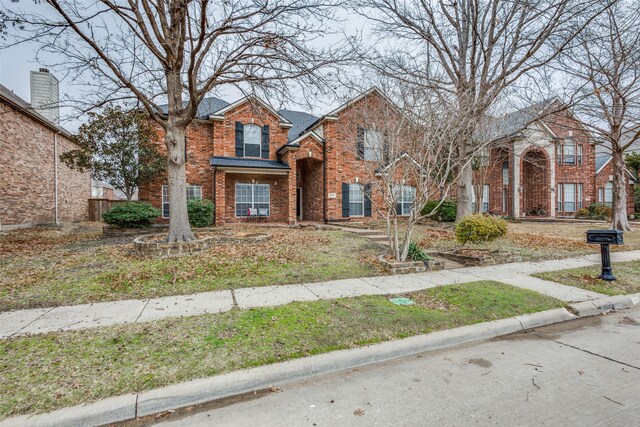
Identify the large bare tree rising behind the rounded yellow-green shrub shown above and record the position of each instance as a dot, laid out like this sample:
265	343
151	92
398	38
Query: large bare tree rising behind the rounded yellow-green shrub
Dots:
475	50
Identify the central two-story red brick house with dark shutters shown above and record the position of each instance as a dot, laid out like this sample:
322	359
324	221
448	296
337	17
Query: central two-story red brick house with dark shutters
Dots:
285	165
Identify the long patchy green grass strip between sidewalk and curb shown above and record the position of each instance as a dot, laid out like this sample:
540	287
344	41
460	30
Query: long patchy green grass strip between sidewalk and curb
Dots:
46	372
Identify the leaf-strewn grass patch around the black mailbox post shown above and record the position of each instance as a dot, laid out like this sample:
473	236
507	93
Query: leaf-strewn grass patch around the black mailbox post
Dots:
627	273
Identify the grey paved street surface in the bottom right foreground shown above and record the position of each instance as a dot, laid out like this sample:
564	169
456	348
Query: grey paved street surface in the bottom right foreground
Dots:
584	372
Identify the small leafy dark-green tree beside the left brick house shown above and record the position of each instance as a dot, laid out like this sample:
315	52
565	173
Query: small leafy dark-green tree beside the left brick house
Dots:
115	145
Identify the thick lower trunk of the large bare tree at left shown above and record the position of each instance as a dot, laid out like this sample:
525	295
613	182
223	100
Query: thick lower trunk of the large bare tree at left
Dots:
179	228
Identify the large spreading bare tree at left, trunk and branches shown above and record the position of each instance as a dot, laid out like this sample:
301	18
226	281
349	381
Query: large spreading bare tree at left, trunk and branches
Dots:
175	52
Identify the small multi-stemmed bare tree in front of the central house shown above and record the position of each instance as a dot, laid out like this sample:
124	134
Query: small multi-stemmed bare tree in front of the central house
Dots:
410	157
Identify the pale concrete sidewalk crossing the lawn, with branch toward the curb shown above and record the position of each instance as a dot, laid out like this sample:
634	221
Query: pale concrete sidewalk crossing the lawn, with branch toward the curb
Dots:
37	321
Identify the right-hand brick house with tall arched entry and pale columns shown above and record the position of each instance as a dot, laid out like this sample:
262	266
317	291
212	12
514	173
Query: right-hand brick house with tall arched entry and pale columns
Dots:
542	163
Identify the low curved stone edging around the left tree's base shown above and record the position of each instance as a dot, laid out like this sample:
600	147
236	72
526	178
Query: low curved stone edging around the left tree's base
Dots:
159	249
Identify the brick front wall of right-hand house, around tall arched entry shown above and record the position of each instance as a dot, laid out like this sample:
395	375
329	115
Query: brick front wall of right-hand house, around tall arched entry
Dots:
542	171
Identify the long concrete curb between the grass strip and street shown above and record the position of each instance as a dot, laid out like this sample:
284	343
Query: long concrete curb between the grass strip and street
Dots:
128	407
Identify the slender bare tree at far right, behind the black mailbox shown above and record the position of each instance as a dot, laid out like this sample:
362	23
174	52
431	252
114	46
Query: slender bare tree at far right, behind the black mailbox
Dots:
603	64
